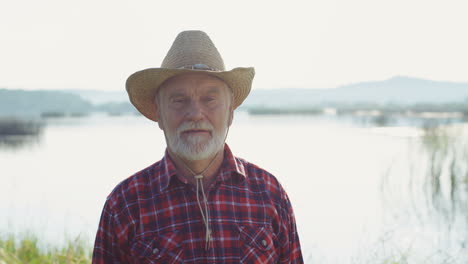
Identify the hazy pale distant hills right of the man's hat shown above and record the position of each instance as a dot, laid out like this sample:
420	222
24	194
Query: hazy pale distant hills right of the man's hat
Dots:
397	90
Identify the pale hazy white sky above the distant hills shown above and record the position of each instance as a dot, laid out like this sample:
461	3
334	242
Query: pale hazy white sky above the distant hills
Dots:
95	44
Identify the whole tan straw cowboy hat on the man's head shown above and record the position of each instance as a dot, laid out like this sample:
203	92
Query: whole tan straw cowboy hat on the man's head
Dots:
192	51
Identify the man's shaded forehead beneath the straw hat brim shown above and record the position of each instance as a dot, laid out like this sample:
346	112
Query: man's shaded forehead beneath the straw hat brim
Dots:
192	84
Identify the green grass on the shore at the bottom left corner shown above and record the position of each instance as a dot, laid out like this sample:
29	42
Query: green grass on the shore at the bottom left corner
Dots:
27	249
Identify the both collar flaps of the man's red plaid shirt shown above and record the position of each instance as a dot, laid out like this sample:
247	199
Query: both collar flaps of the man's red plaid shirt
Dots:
230	168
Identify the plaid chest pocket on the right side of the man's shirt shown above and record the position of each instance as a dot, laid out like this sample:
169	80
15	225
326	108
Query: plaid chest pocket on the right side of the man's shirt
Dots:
257	244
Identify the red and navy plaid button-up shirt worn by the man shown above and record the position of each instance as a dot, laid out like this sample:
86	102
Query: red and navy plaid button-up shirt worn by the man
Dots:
153	217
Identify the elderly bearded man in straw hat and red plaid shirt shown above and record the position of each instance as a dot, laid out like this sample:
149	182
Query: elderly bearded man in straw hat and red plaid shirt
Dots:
200	203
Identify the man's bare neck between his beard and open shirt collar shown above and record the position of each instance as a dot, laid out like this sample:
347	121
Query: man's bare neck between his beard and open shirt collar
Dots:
198	166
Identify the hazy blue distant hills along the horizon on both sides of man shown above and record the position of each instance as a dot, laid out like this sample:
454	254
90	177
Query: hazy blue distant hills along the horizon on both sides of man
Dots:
396	91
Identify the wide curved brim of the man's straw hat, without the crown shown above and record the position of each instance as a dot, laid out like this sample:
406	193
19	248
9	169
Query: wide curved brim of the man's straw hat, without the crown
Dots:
143	85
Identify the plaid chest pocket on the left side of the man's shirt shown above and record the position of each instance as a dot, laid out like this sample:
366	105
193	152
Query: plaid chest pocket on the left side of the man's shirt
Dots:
163	248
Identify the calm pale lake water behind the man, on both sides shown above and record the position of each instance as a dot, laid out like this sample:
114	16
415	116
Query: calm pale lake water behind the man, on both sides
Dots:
331	170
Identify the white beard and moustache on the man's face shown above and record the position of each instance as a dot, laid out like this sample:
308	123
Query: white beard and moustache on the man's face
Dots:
196	147
